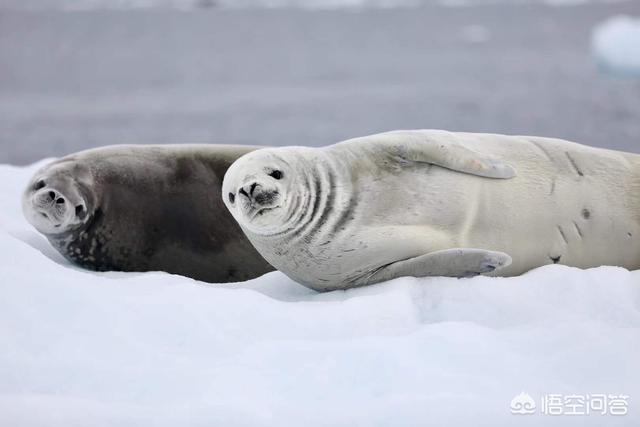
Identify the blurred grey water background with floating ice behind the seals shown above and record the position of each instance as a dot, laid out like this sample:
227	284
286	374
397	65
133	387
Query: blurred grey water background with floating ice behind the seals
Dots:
79	74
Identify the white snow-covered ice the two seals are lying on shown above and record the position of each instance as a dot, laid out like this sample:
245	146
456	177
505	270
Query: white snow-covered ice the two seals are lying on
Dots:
157	349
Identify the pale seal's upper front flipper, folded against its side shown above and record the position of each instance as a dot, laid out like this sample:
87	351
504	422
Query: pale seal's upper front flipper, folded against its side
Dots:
447	150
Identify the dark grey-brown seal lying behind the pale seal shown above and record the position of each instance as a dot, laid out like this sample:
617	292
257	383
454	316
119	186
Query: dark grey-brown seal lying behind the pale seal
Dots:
144	208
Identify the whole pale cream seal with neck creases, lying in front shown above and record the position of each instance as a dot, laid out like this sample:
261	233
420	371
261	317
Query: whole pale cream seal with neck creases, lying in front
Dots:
429	202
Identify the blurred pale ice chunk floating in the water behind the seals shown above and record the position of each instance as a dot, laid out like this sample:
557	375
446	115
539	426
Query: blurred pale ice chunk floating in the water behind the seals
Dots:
616	45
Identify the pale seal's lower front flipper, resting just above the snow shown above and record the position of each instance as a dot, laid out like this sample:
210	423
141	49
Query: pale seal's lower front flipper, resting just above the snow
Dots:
450	262
